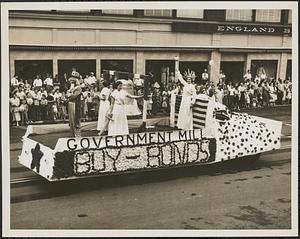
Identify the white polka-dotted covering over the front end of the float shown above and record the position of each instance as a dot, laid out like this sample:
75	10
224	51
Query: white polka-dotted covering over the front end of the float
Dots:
243	135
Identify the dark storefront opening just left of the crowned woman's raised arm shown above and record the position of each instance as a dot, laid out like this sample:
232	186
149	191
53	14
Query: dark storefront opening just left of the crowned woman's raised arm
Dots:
161	70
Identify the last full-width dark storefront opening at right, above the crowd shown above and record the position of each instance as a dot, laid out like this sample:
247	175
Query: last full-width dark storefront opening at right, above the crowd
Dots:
270	67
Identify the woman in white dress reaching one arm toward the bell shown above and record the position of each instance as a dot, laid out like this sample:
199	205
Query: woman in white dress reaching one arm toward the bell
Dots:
118	124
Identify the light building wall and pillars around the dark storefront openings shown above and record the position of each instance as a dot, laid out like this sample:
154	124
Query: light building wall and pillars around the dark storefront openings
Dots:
113	31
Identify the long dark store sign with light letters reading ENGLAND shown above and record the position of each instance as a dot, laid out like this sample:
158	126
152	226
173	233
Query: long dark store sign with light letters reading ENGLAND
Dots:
230	28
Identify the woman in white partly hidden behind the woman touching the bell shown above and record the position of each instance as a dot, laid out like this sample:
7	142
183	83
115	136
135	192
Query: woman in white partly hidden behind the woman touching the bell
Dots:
103	107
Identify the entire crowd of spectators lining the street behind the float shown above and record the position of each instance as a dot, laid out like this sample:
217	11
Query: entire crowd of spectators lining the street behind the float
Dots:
45	100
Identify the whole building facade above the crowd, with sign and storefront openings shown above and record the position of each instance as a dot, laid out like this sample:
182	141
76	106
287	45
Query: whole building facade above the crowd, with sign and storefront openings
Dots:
140	41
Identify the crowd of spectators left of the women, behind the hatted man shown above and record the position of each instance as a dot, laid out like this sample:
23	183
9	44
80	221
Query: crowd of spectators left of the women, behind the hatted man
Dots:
45	99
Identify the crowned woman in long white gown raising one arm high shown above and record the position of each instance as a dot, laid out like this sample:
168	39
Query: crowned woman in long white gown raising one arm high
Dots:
185	116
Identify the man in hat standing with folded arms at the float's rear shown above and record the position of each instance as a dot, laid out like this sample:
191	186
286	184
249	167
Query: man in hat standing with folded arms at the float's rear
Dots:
73	95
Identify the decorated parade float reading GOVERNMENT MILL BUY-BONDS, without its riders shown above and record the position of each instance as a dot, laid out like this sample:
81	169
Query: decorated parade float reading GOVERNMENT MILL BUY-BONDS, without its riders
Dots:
218	135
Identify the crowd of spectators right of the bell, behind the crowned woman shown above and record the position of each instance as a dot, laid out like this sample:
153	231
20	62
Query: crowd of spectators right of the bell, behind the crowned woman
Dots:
245	93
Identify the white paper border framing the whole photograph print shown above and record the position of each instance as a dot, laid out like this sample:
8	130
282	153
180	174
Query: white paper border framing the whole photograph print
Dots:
7	232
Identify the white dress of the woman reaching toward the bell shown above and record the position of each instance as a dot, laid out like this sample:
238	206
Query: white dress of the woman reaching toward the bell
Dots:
118	125
